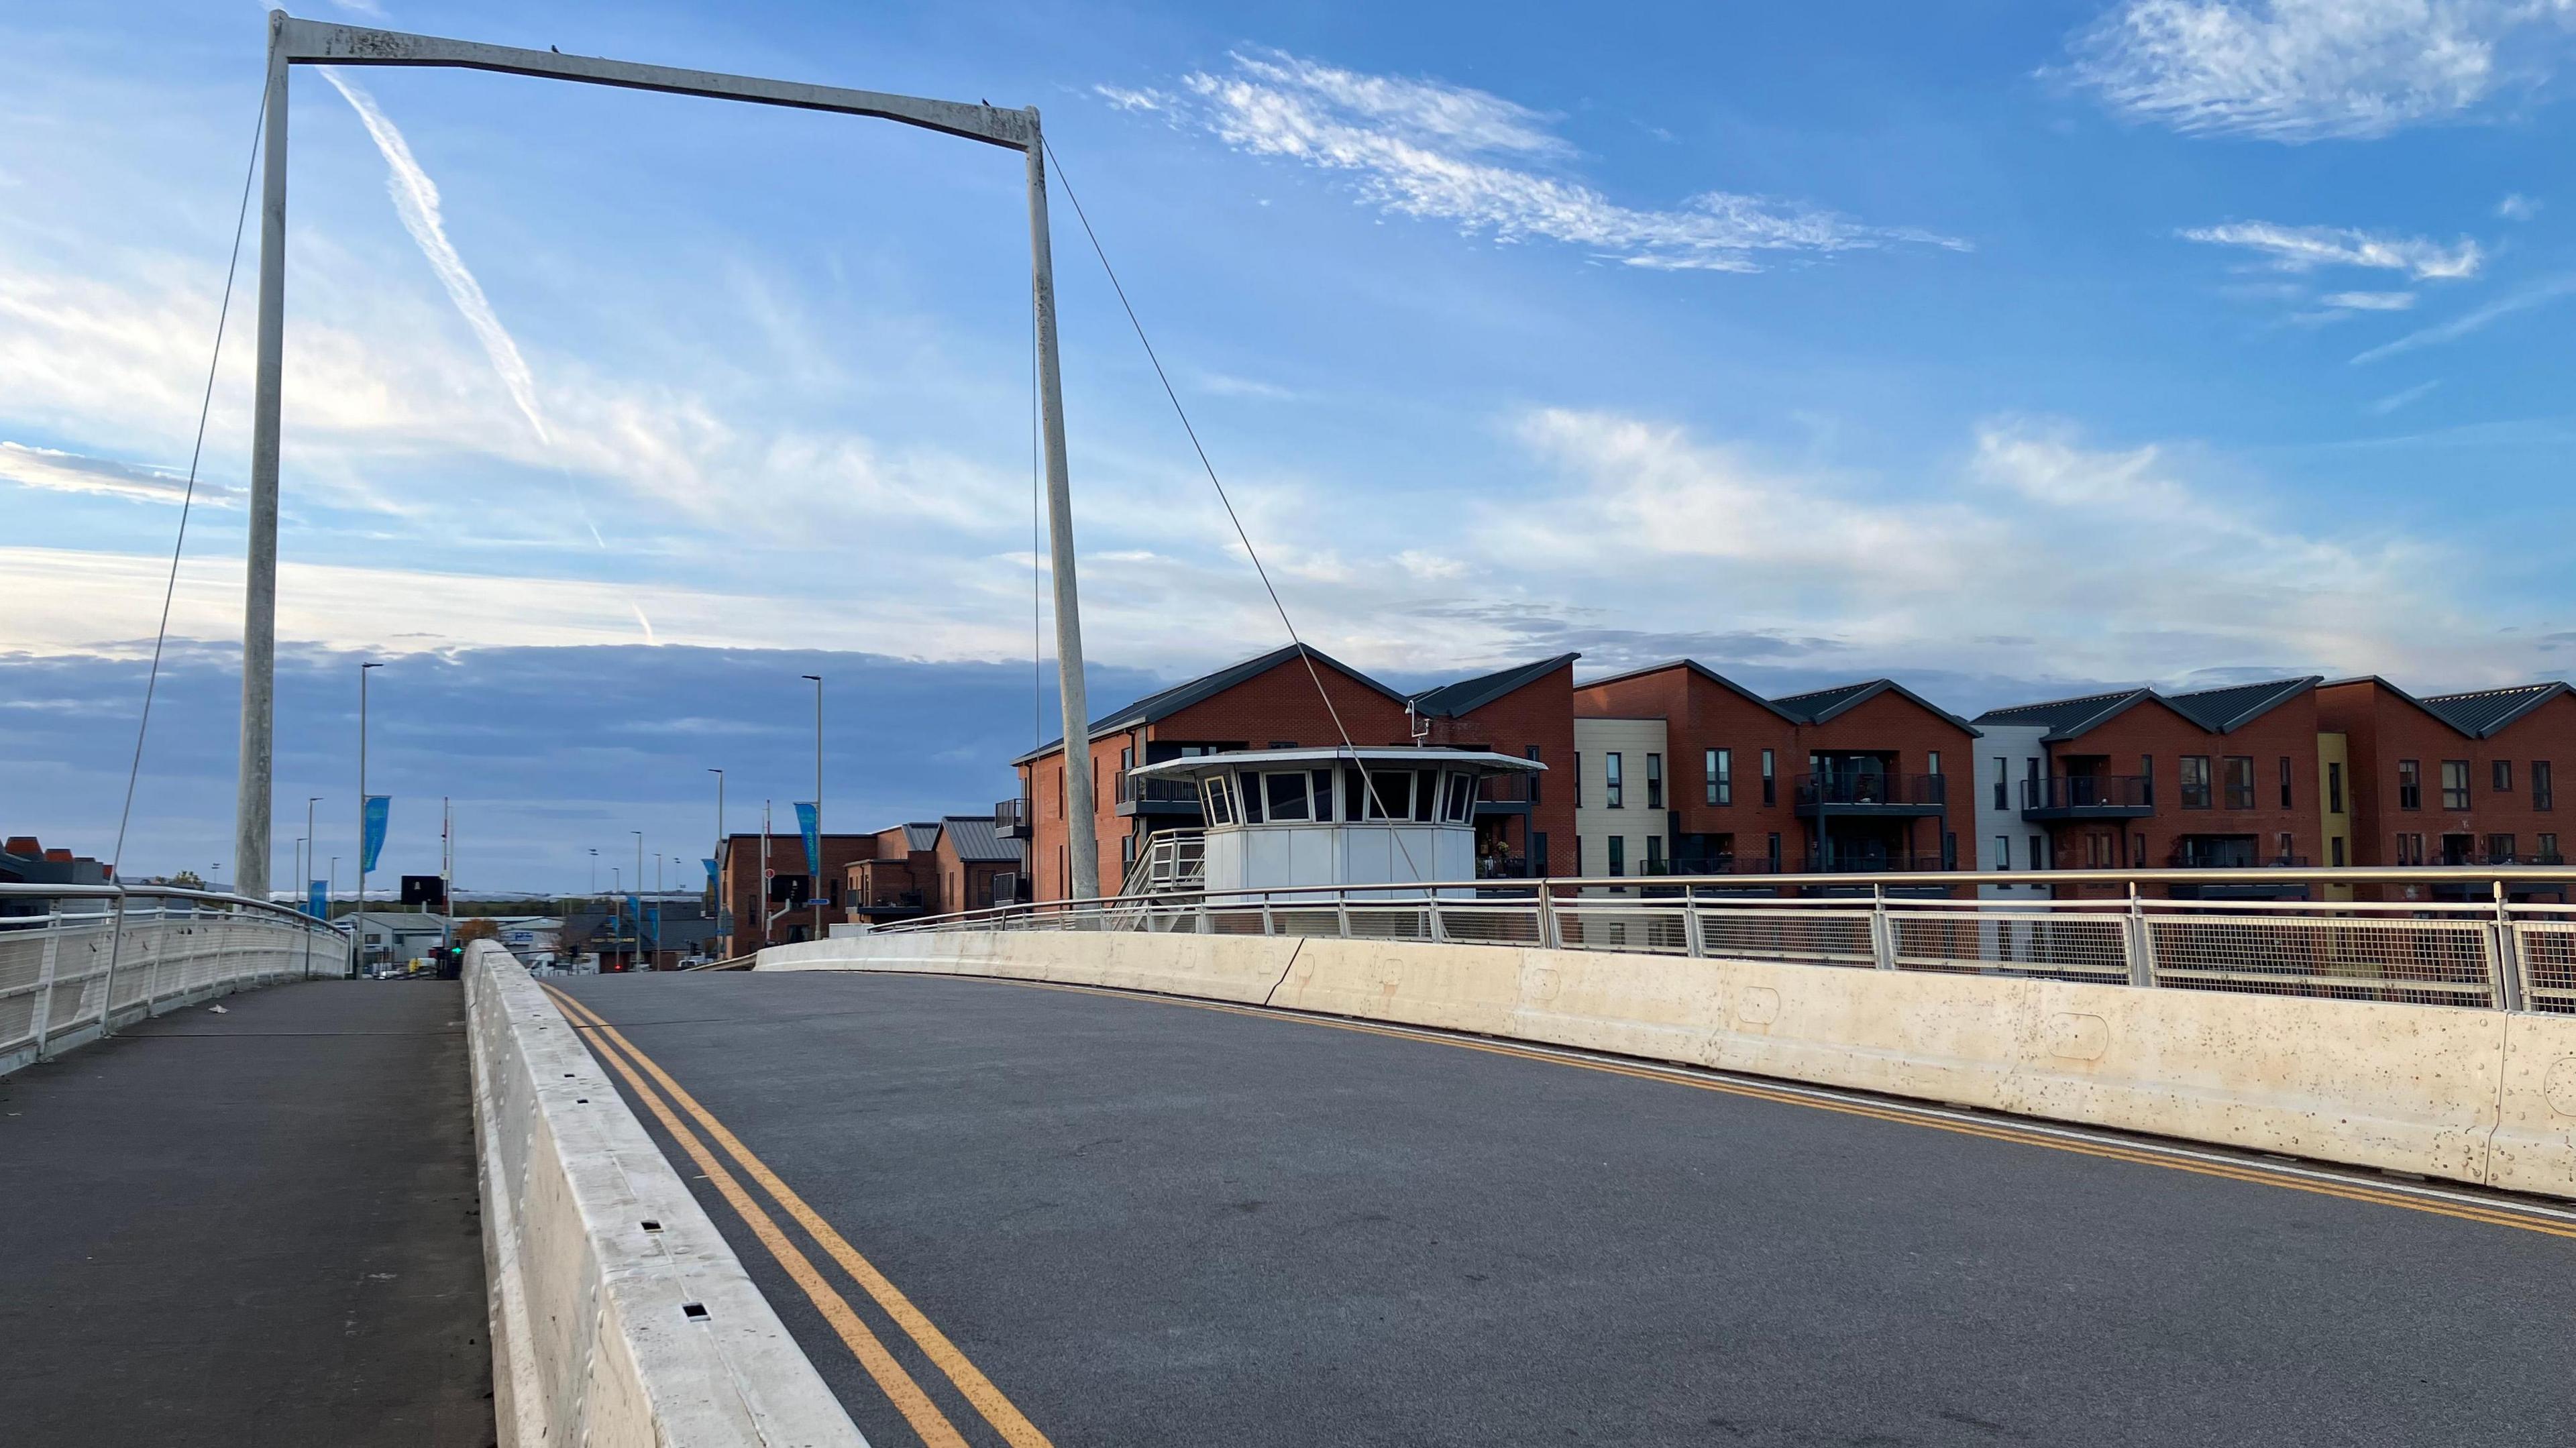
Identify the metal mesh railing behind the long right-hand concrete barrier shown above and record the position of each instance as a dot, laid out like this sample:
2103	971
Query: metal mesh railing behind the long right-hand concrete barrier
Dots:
2505	942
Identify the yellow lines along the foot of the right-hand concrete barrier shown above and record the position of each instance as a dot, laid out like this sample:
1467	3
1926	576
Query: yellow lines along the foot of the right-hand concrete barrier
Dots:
2248	1174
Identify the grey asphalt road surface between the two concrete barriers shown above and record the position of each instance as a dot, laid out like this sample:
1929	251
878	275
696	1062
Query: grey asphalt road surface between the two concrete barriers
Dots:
1150	1223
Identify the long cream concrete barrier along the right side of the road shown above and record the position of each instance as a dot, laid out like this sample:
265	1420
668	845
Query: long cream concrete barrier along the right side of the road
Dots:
2477	1096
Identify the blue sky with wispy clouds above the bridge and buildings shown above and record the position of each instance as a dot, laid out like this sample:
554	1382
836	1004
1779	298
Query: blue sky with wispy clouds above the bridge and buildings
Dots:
2008	349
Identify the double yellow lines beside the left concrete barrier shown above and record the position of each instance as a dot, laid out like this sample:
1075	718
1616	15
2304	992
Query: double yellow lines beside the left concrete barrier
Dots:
872	1354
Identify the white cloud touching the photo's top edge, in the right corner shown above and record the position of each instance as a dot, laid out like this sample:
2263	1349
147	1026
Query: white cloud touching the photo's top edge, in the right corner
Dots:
2302	71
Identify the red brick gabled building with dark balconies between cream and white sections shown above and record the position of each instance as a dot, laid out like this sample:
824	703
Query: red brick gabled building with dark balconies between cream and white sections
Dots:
1841	779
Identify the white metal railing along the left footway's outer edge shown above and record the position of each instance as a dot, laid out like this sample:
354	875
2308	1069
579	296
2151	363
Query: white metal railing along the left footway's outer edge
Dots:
76	962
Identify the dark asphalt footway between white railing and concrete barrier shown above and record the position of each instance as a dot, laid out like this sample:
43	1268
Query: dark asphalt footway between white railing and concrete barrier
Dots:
249	1228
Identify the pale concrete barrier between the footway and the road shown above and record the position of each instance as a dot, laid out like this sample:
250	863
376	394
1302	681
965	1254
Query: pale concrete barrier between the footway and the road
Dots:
620	1315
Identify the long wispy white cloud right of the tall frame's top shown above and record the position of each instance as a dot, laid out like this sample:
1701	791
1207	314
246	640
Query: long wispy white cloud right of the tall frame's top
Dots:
1434	151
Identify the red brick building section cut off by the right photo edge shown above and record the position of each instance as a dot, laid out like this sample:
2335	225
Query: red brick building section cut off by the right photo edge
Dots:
2464	779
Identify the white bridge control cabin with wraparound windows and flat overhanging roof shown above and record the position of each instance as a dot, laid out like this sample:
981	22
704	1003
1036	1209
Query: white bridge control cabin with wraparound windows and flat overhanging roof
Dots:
1374	815
